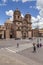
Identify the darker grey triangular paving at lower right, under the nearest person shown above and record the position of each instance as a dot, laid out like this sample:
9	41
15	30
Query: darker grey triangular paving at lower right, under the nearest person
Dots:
37	56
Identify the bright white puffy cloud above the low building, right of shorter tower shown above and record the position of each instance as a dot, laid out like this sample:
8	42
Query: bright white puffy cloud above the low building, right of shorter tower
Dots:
38	21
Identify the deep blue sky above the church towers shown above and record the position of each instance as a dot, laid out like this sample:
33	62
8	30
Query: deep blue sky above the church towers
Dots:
25	6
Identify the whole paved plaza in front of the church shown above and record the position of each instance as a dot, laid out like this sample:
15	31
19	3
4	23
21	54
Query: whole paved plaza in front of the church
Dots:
23	55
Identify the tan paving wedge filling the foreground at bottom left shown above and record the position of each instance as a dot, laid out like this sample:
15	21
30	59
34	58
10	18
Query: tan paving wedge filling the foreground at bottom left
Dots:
8	58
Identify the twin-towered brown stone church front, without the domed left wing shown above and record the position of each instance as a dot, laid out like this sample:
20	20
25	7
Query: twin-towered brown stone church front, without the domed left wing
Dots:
22	26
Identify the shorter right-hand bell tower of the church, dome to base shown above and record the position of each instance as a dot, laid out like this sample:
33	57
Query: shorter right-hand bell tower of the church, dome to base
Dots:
29	25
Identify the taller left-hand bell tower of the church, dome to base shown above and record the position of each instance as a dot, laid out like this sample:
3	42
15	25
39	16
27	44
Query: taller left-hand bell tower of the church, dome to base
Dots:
17	23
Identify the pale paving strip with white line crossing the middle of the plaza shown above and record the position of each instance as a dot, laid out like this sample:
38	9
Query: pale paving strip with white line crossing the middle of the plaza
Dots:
20	48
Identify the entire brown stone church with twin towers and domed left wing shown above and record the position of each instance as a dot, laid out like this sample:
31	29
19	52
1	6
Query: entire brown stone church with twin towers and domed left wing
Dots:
20	27
